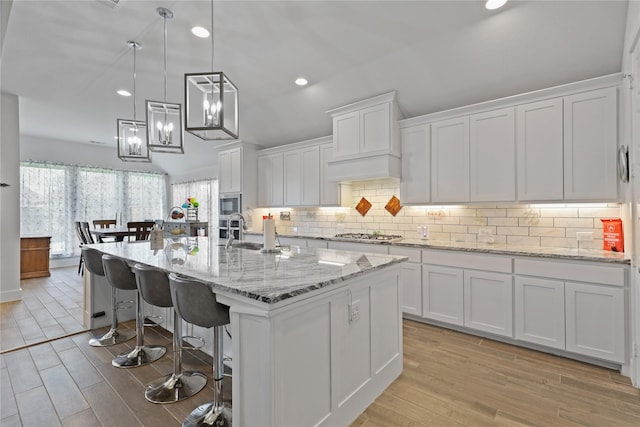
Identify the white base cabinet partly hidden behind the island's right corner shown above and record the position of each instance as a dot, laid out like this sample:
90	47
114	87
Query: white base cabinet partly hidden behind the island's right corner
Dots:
411	279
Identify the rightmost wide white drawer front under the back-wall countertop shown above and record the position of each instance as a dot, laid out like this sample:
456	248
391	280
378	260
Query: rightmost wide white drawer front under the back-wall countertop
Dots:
579	272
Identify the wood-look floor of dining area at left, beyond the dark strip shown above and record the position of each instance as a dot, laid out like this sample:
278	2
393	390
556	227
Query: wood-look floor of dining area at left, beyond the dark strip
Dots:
51	307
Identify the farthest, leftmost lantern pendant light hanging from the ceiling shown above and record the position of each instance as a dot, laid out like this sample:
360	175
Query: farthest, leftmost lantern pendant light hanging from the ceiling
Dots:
132	134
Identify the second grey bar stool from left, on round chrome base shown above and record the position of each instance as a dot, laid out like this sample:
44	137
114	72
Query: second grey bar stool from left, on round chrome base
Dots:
120	276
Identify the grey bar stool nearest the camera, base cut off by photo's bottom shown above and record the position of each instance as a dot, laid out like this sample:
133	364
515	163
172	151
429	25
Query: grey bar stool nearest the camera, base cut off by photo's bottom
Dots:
196	303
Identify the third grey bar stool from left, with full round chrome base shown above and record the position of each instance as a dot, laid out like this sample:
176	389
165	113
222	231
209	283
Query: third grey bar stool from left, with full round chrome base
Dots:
153	285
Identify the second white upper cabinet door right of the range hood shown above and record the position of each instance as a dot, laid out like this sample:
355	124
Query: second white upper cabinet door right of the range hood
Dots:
450	160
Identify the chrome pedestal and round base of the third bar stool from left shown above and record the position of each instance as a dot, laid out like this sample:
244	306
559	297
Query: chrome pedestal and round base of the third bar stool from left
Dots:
178	385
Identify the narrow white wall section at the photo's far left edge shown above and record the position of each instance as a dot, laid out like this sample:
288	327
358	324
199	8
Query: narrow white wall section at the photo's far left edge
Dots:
9	199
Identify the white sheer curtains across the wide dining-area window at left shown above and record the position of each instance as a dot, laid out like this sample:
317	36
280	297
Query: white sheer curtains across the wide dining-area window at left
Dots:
53	197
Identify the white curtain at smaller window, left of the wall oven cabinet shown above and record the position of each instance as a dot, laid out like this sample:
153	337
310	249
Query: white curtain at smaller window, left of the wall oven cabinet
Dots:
206	194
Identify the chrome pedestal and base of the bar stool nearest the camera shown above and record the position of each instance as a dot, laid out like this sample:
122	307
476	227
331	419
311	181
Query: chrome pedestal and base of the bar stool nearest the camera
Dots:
215	413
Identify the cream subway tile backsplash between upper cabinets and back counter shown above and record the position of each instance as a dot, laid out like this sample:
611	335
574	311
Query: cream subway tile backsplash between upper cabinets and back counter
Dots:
549	225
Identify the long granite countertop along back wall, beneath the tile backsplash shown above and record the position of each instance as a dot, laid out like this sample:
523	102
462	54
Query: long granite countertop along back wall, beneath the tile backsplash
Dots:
500	249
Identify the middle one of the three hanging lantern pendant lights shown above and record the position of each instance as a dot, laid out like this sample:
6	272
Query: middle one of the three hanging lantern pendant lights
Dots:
164	119
